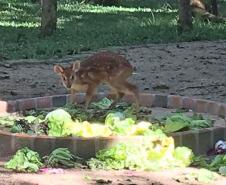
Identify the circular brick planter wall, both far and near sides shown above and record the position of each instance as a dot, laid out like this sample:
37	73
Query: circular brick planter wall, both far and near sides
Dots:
199	140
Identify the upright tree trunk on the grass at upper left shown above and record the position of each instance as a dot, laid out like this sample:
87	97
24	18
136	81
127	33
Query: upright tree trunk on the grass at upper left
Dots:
49	17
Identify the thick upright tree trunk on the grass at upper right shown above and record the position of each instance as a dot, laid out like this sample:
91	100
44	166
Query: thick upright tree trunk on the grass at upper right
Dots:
185	16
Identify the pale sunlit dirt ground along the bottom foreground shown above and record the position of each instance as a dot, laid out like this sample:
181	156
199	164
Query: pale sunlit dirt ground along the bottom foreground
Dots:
123	177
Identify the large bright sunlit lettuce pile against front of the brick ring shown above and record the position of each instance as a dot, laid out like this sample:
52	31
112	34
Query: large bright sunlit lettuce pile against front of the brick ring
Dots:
156	152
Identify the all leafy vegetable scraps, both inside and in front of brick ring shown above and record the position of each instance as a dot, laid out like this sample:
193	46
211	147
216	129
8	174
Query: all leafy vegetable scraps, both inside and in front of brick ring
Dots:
156	151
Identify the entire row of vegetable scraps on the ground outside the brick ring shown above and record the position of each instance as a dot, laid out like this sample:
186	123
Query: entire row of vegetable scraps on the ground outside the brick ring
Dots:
154	153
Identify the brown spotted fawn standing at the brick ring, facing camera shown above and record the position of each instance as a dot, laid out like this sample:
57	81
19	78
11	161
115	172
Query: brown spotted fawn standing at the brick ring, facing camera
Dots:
103	67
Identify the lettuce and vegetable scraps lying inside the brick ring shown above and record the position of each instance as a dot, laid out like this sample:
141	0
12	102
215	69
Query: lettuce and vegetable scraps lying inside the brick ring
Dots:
100	120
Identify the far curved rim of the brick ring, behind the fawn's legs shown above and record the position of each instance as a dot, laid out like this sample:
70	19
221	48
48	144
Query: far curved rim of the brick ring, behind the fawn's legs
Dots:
151	100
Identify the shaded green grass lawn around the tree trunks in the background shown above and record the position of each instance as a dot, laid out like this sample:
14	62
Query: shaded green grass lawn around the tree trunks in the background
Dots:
83	27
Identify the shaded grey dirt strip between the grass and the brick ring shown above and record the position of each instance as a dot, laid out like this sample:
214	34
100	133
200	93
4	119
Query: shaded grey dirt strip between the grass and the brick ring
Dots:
196	69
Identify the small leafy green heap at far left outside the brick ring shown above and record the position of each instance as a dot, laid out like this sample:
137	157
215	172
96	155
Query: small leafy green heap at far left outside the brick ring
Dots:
25	160
